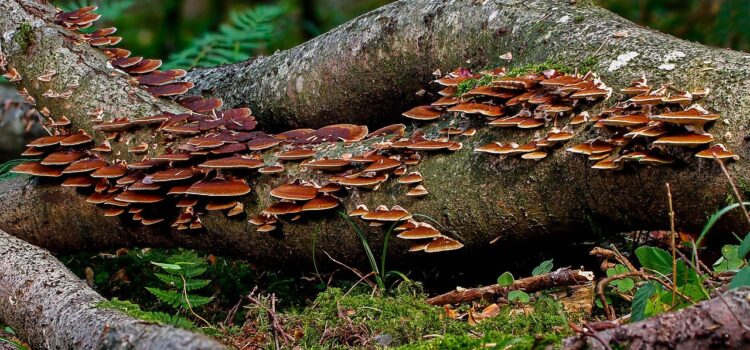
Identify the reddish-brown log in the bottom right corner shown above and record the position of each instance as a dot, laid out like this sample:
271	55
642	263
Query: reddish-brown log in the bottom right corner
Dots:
717	323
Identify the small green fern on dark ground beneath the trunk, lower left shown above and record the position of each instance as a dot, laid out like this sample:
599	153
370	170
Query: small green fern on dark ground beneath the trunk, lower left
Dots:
180	274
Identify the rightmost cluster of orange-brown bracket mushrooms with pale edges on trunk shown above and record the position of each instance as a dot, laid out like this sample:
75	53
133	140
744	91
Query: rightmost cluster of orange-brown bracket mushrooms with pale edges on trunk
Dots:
651	127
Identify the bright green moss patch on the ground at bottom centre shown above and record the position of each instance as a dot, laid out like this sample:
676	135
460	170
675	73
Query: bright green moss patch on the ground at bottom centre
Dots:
404	319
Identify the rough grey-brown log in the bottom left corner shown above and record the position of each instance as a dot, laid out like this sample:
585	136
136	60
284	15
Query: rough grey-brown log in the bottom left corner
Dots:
52	308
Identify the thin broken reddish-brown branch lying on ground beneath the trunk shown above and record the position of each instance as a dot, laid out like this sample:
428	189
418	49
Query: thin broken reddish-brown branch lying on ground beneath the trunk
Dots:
559	278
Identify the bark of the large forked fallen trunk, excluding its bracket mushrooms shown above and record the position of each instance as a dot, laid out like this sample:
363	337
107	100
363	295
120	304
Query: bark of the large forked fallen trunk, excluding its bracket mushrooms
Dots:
475	198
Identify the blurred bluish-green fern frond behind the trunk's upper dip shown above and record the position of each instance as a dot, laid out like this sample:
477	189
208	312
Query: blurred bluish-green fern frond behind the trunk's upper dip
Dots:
246	32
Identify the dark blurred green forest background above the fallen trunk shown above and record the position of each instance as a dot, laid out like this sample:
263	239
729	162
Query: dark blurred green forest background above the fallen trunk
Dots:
234	30
